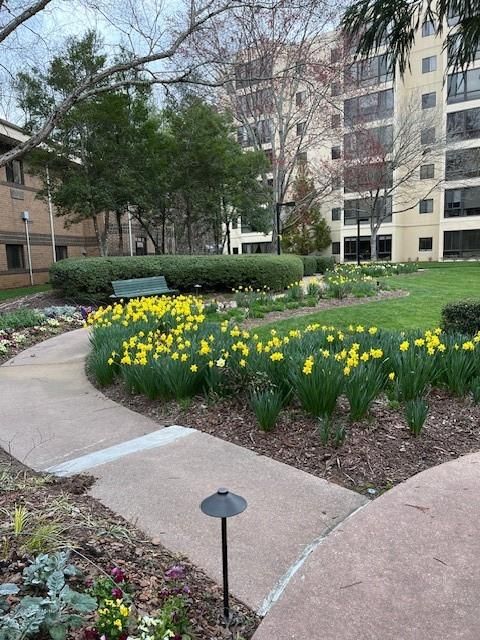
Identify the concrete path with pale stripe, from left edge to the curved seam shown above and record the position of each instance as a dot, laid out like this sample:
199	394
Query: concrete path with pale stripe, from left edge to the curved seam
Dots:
52	419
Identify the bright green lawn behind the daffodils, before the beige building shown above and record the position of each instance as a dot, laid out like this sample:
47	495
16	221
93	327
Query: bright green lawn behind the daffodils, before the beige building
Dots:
429	291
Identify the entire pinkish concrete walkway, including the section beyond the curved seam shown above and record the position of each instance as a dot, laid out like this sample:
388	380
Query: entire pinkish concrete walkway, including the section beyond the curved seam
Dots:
305	553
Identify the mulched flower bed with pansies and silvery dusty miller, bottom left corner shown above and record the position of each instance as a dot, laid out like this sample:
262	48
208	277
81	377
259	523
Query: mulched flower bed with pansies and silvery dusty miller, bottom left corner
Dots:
71	568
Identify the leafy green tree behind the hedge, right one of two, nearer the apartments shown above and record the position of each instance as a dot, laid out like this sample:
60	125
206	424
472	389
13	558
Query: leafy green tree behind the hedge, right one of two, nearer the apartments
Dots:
211	170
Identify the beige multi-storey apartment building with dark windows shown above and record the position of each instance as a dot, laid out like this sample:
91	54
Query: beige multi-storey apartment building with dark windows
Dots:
436	213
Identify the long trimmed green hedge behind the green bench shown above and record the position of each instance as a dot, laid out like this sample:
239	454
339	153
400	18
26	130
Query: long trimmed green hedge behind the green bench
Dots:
89	279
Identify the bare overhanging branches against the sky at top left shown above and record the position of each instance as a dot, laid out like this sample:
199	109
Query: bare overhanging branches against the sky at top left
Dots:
156	37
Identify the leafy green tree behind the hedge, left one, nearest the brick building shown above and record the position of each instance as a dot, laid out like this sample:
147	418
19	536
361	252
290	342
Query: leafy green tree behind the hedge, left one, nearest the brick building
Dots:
92	155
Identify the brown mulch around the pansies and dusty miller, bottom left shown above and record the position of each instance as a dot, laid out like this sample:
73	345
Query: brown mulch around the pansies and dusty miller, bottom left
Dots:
101	540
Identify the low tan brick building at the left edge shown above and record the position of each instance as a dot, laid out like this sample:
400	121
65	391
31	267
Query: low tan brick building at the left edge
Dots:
49	239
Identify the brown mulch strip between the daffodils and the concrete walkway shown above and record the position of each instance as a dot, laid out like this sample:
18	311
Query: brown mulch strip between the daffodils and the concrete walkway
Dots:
378	452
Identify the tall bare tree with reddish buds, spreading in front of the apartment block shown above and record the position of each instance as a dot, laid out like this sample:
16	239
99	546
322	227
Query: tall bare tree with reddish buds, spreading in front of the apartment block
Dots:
276	70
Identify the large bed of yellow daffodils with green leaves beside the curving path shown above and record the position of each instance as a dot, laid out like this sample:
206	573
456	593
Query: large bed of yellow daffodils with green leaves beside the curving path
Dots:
329	379
